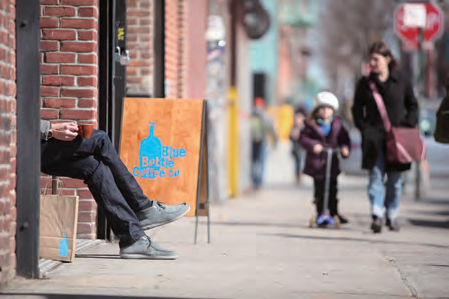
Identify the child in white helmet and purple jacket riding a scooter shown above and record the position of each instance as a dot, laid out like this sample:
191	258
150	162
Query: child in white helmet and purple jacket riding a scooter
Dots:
323	129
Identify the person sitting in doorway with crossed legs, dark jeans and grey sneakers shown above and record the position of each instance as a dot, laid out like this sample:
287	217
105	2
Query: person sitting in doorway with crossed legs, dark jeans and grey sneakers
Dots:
128	211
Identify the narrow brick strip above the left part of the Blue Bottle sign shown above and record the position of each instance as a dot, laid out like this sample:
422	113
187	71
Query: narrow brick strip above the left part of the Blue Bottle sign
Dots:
139	73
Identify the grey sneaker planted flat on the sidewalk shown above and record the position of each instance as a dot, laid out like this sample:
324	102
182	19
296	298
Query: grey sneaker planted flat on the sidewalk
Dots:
144	248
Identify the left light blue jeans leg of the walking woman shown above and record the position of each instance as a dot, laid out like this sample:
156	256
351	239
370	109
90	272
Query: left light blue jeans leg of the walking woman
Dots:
376	186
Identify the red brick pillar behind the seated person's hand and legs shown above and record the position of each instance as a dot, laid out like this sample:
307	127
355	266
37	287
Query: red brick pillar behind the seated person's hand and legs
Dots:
69	72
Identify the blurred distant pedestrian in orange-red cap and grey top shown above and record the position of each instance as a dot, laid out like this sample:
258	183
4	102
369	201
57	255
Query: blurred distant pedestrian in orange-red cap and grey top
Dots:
262	127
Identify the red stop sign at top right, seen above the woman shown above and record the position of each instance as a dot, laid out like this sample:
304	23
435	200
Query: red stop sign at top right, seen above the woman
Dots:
410	34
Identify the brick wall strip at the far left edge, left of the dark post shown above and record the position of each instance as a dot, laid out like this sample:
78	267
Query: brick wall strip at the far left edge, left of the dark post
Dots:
8	139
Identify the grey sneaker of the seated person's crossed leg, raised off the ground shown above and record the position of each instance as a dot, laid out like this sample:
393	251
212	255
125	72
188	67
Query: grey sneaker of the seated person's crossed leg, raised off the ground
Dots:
160	214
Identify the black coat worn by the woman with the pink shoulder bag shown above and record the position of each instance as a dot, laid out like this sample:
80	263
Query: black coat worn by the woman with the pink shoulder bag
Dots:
402	109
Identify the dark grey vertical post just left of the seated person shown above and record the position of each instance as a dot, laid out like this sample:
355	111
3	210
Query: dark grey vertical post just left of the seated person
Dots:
28	137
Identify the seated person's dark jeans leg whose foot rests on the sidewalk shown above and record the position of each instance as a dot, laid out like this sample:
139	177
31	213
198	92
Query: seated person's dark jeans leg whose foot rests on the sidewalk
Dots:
60	158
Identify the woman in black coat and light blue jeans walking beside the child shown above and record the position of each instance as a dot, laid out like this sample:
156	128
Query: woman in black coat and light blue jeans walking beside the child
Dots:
402	110
